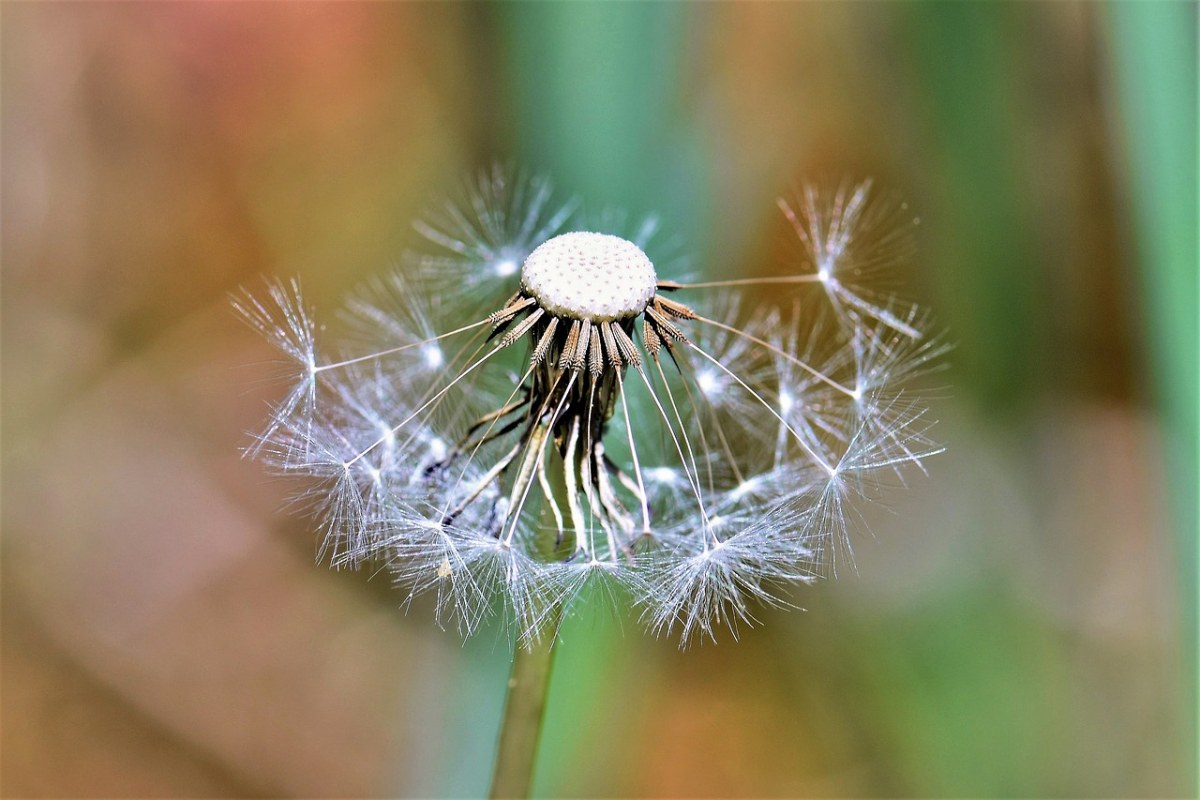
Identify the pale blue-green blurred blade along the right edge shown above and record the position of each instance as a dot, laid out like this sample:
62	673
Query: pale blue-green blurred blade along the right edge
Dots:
1156	79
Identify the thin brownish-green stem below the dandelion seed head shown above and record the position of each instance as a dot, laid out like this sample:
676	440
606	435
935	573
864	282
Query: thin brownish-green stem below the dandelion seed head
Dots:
524	713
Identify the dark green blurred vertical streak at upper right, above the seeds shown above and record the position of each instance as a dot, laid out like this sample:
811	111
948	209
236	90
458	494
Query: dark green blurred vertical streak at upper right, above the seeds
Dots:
965	64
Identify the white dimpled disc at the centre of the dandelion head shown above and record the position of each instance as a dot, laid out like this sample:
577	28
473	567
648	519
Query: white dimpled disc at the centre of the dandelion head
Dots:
590	276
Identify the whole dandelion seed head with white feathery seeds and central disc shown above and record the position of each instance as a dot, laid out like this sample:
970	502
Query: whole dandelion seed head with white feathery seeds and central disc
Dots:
530	410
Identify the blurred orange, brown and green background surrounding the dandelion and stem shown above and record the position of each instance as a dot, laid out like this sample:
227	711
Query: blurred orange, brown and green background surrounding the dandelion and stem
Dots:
1023	622
